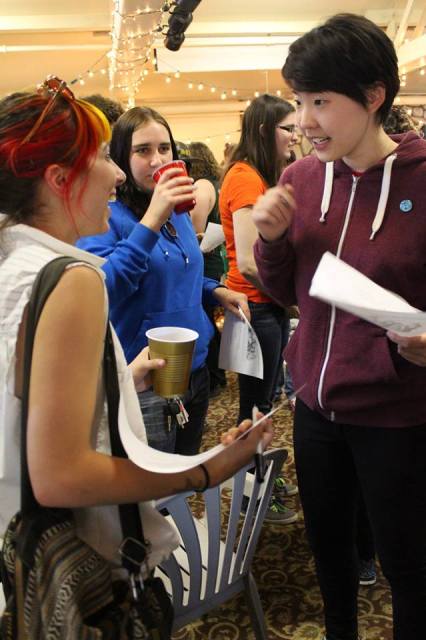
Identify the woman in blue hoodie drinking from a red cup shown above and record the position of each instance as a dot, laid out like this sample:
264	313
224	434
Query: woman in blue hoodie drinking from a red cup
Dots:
154	269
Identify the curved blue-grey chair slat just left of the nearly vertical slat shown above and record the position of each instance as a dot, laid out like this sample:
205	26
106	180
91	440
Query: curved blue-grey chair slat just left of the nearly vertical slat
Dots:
184	521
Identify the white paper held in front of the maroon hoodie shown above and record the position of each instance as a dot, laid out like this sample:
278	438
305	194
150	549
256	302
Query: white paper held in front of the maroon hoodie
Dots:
343	286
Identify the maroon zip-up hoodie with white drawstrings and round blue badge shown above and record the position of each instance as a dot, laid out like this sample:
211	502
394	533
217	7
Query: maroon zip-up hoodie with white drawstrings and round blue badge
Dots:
353	373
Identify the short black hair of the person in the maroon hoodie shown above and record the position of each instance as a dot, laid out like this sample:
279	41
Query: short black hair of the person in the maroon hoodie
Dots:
348	54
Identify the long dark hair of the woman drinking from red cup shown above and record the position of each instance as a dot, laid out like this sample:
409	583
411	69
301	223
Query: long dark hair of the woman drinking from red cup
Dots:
121	143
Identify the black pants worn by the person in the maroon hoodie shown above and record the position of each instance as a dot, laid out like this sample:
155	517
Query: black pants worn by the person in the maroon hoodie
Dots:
332	461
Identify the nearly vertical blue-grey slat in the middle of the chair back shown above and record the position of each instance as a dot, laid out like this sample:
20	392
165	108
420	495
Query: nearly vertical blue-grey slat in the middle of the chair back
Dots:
213	515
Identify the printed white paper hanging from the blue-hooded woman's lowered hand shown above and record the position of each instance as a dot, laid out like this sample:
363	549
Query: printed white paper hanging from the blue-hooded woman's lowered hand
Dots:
239	347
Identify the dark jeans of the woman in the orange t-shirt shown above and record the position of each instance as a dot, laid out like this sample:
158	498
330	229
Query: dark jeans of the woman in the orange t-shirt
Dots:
267	320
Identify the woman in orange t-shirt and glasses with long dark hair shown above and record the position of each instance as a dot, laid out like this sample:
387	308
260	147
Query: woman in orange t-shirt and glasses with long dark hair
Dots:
268	132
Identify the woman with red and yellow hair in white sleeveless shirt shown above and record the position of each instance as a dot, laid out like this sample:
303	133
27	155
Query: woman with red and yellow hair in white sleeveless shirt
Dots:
56	178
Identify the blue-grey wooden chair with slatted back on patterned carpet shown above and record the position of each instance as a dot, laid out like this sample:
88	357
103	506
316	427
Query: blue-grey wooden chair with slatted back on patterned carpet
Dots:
213	561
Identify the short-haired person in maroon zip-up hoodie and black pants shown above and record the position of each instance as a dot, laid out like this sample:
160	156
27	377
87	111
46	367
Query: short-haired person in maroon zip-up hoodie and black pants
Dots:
361	417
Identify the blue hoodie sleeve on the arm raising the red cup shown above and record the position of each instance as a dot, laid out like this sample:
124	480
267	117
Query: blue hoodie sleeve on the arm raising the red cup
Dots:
127	257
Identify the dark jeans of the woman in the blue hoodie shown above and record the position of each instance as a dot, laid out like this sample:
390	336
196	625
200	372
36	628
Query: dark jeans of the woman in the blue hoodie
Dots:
166	435
